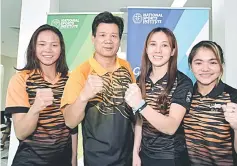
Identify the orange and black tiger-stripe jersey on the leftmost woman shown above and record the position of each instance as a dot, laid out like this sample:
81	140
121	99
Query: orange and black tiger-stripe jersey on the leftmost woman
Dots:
50	143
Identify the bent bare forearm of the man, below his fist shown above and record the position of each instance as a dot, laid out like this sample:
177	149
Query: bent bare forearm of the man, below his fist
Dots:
74	113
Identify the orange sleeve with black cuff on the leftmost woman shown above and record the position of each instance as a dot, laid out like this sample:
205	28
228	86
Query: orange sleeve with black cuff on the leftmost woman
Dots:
17	100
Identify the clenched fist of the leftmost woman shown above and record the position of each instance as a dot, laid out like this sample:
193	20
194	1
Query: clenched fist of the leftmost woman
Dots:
44	97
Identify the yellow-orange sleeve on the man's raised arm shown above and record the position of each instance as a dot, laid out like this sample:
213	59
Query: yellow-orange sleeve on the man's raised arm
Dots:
73	87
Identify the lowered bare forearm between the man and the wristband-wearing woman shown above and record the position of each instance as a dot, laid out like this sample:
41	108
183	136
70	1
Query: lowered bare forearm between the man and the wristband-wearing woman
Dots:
138	136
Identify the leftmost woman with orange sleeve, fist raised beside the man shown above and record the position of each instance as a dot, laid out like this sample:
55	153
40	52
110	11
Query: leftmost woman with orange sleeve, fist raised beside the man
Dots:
33	100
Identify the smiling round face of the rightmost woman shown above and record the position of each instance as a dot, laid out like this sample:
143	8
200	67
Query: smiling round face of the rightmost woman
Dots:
206	67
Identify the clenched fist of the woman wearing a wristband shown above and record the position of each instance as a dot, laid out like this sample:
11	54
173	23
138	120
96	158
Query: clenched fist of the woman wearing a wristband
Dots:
133	96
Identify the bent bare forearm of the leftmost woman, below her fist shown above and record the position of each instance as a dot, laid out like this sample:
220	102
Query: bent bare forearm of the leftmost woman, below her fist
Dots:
25	124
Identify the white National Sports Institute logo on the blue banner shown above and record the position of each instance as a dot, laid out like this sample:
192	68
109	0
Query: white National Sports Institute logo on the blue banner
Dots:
147	18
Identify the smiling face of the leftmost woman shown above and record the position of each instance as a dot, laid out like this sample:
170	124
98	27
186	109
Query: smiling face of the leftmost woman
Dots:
48	48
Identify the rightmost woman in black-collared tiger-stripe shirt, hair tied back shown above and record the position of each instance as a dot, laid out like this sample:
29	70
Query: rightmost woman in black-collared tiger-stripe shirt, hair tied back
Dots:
211	125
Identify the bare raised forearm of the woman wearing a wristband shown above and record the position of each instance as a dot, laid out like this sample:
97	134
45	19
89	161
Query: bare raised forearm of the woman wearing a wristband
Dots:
164	124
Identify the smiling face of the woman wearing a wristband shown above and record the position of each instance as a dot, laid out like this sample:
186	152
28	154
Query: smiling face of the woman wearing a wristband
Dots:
159	49
